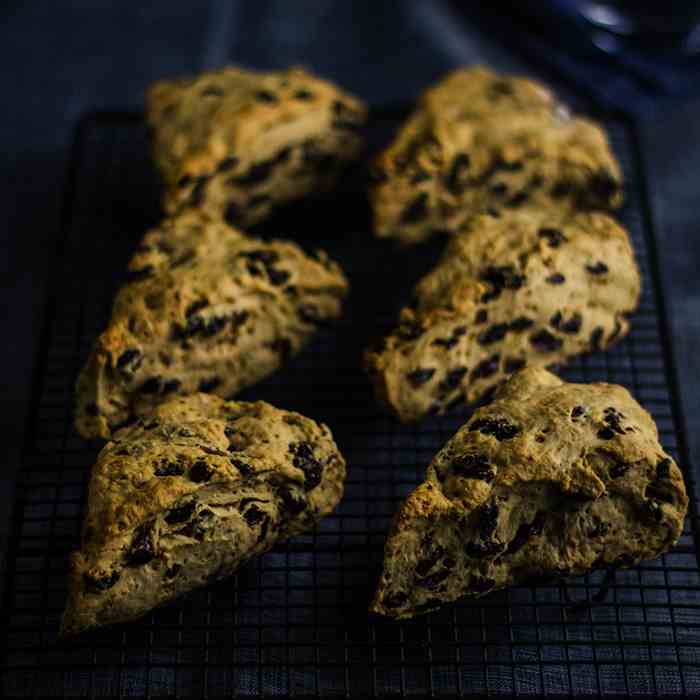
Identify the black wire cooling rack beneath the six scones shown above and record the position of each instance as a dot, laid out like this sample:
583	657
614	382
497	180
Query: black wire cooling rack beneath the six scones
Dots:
294	621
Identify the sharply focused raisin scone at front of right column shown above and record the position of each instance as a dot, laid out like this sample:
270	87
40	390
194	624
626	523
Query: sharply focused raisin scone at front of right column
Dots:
551	479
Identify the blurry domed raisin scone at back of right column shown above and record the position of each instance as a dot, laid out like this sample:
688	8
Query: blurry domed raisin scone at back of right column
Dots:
479	141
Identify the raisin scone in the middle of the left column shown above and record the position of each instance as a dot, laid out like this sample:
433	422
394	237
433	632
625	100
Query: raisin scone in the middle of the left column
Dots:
205	309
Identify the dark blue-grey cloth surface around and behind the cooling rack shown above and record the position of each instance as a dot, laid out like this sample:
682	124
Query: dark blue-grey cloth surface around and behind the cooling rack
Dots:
63	59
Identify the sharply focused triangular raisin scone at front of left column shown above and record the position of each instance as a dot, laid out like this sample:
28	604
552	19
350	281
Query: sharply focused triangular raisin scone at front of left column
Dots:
188	494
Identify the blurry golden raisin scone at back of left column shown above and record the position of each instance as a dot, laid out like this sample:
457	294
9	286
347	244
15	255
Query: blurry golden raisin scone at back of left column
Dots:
236	142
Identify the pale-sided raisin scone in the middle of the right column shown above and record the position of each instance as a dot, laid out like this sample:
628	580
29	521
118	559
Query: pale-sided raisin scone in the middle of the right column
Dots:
528	287
